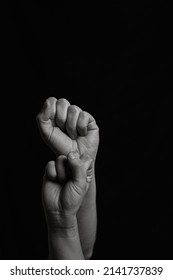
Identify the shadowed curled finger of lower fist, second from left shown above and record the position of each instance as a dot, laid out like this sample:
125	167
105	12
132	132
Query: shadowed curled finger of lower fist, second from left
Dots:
61	166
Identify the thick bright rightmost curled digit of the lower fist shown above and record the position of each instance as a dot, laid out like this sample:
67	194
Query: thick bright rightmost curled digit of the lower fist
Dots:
80	168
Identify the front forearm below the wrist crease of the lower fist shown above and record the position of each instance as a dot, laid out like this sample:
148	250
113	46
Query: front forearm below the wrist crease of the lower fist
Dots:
64	244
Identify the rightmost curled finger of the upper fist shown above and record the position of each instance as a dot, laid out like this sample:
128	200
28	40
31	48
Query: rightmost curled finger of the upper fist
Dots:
85	122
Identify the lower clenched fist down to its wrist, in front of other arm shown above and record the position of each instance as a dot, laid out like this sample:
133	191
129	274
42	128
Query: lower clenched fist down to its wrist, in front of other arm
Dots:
65	184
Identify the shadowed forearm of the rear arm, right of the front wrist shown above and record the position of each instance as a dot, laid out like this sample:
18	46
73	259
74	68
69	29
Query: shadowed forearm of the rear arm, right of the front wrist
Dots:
87	220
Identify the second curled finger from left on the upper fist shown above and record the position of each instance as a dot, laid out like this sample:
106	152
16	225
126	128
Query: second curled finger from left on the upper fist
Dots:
61	112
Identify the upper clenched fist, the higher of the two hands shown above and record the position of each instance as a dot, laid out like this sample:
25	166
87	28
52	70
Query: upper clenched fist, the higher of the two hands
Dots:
66	128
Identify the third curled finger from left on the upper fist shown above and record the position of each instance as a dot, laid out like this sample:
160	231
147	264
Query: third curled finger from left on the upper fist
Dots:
71	122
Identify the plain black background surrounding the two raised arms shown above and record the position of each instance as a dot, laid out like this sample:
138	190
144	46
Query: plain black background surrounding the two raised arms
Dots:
113	61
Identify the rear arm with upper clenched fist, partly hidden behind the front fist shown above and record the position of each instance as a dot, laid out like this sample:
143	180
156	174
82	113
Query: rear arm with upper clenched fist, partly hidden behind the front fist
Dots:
66	128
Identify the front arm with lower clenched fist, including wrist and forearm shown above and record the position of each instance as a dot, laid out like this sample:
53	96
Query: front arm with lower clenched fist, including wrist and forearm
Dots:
65	184
